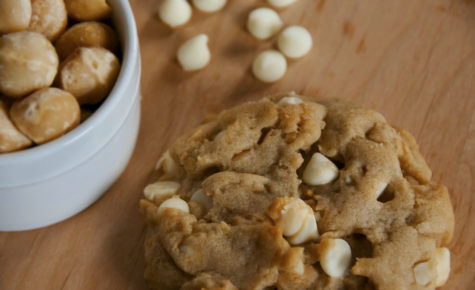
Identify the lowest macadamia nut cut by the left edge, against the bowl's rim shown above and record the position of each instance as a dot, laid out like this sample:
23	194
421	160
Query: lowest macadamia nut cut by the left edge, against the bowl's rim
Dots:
11	139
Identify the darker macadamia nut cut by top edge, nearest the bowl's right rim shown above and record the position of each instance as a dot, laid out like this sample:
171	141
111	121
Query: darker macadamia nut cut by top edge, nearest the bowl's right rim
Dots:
85	10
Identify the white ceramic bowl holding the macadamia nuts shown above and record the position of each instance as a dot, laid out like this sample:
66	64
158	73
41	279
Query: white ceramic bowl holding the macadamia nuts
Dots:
49	183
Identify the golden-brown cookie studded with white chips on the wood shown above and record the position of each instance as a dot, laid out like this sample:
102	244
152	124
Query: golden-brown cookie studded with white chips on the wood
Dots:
294	193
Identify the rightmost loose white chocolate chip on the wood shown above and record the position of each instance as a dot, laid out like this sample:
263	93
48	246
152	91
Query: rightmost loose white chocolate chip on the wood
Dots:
294	41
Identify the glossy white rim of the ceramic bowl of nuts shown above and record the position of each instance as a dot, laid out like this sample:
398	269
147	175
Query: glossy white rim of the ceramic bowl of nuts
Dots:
129	40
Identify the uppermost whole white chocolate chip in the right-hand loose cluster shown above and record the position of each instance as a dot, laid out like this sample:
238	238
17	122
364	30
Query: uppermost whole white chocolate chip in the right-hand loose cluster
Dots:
263	23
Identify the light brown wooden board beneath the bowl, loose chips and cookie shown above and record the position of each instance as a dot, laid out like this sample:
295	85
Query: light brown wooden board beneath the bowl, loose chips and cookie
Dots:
414	61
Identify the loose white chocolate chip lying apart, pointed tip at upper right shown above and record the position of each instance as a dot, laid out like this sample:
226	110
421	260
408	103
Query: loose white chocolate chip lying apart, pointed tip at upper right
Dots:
194	54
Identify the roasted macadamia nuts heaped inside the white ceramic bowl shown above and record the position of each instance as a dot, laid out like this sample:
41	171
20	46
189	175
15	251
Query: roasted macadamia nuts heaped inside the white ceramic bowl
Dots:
58	61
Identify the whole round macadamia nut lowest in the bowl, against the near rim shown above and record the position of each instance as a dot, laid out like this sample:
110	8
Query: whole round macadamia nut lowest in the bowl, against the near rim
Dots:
46	114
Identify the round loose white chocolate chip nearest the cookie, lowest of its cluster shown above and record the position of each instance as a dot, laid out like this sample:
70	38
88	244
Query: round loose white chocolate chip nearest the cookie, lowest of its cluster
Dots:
269	66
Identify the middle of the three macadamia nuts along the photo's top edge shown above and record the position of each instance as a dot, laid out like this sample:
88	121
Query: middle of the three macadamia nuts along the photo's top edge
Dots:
49	17
